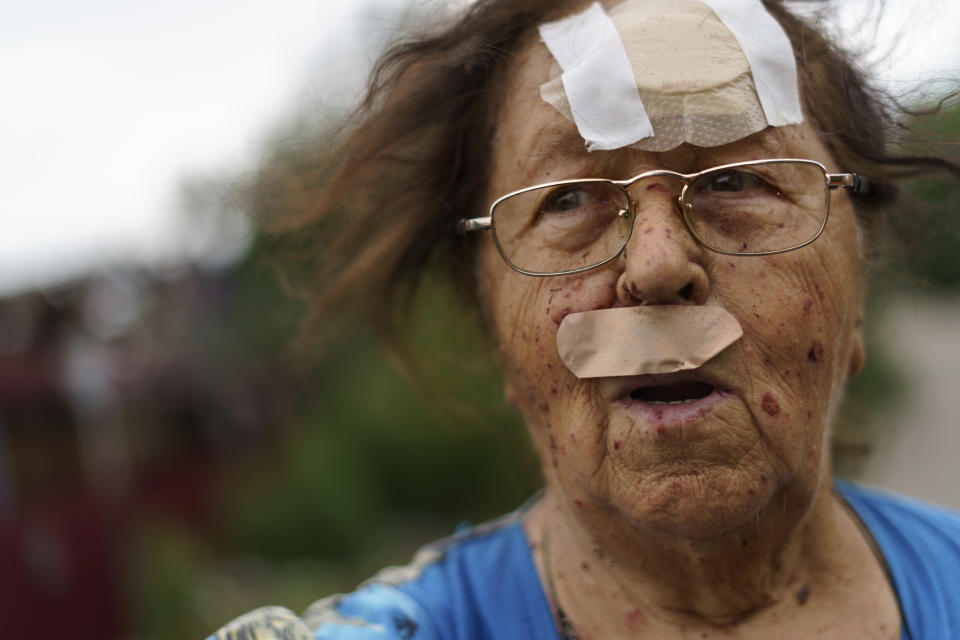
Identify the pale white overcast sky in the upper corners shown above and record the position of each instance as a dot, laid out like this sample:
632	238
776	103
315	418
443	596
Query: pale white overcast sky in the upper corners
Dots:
107	105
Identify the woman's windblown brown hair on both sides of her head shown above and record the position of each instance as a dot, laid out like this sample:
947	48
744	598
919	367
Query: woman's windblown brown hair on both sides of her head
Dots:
360	220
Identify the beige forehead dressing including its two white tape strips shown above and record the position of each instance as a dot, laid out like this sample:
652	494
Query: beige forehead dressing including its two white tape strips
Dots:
654	74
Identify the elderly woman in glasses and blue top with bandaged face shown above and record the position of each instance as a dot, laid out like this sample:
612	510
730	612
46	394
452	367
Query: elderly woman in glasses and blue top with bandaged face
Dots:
662	211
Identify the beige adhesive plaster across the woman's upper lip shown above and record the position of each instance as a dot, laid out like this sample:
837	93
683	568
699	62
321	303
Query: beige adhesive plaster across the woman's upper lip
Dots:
628	341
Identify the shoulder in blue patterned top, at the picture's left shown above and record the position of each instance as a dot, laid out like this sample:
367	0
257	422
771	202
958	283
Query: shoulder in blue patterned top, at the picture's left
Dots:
479	583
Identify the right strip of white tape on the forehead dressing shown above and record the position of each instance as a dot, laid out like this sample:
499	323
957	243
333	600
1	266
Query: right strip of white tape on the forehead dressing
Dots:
768	50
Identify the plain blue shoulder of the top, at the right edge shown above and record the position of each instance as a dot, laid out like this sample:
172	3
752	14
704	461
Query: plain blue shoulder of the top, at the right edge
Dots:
920	544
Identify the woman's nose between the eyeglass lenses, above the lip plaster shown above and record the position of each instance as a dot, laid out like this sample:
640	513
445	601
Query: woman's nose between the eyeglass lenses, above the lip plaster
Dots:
662	260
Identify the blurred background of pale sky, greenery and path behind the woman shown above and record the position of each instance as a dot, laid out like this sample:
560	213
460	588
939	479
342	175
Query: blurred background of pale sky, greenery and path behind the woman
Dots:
167	460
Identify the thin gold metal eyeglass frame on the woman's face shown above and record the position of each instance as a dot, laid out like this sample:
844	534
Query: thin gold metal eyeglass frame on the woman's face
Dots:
850	181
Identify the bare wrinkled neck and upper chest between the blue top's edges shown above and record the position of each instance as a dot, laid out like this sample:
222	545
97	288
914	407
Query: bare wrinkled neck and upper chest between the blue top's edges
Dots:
789	572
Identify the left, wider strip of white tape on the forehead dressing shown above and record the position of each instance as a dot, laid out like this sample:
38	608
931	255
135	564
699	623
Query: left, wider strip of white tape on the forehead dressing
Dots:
598	79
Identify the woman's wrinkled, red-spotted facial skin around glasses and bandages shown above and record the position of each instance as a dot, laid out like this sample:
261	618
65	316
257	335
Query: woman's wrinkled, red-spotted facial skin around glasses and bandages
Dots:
756	429
